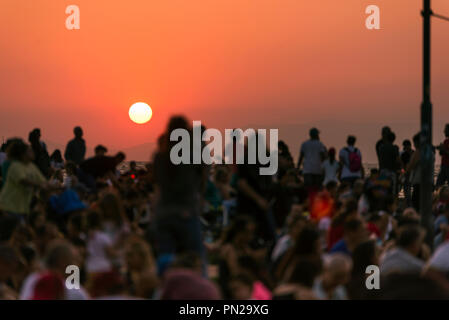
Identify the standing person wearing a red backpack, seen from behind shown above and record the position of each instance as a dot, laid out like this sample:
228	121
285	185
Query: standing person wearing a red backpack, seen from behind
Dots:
351	162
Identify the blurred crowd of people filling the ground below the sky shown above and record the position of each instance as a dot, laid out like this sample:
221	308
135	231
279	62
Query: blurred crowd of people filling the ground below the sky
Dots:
221	231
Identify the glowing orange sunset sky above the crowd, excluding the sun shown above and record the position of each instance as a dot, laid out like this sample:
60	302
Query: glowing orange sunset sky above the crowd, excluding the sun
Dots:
229	63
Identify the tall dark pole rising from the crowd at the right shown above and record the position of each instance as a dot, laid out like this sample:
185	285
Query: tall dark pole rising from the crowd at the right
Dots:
426	156
